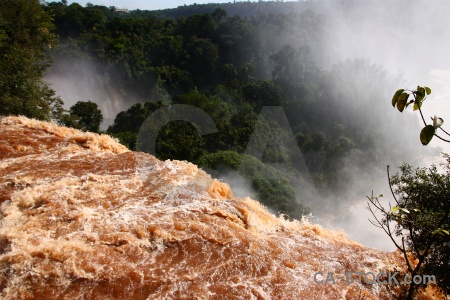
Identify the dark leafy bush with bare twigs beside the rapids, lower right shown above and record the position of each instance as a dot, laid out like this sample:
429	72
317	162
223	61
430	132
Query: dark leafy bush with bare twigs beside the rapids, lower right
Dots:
421	219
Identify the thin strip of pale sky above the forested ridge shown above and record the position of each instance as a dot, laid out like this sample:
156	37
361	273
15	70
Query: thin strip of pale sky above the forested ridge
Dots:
147	4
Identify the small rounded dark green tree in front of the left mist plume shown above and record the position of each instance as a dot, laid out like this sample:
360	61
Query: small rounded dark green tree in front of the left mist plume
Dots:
85	116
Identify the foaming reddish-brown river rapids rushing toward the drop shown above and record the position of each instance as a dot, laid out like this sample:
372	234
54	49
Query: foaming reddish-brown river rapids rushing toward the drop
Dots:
82	217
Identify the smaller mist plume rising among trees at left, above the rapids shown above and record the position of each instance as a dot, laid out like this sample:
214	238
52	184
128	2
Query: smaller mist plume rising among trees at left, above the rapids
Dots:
84	78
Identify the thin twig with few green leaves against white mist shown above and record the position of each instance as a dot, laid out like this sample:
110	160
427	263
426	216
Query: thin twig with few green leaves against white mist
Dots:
401	101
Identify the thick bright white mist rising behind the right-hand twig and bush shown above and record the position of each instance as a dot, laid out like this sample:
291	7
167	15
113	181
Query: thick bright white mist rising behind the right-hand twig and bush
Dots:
411	41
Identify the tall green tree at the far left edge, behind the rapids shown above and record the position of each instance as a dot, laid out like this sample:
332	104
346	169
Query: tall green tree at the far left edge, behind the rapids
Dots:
25	40
